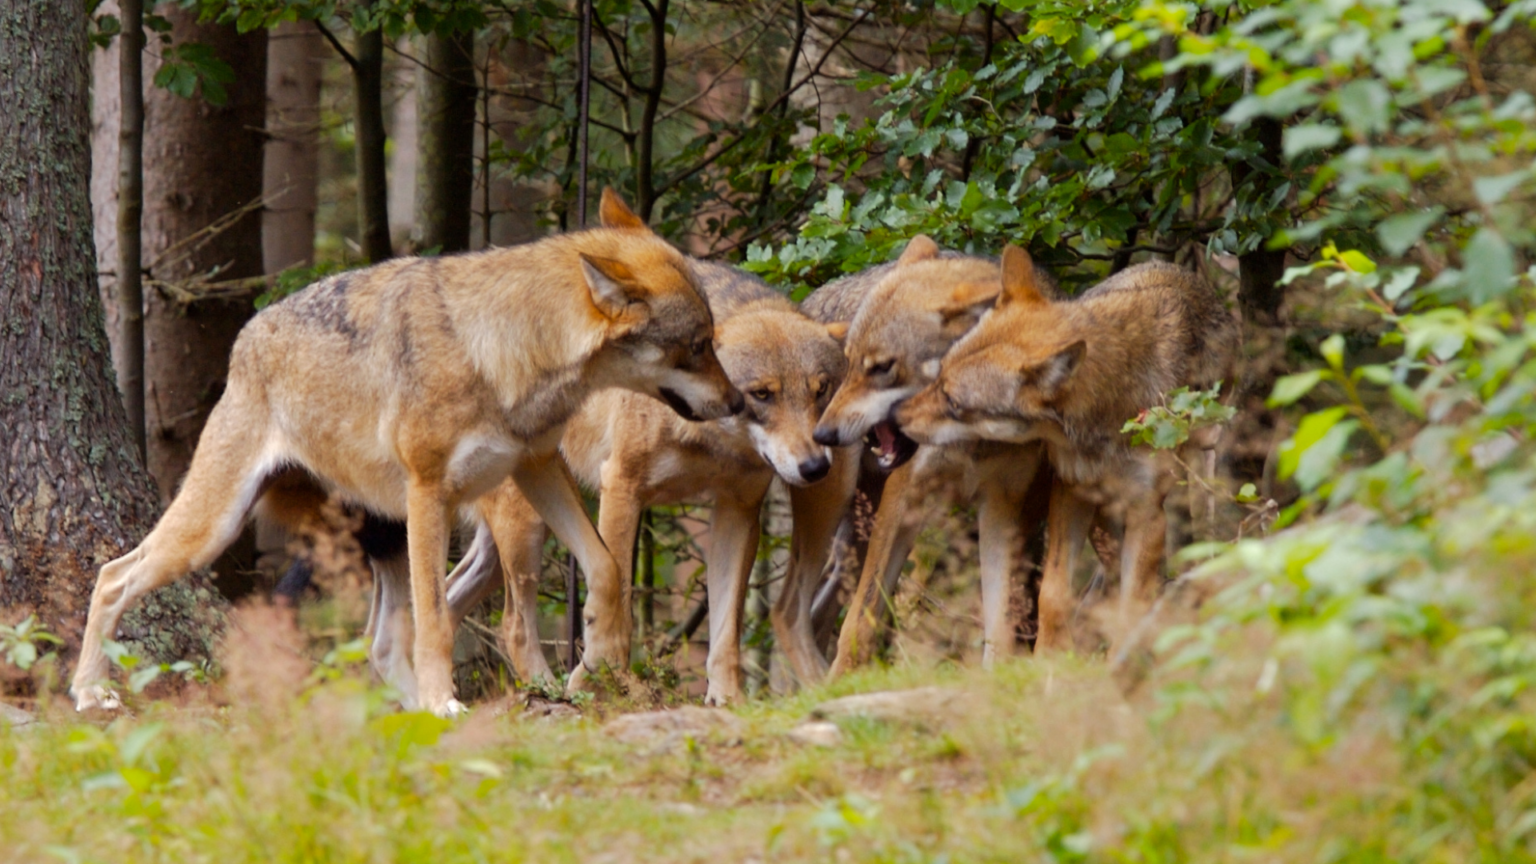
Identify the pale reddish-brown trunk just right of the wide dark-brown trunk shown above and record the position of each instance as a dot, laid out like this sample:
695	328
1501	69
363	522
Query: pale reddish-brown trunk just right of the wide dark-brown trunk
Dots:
291	171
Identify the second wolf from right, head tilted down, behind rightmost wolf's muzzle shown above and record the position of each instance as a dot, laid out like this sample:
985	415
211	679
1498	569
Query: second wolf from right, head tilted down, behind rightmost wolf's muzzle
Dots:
904	317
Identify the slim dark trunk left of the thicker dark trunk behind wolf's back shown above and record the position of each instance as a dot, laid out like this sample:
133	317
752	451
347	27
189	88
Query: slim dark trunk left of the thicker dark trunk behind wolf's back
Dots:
368	71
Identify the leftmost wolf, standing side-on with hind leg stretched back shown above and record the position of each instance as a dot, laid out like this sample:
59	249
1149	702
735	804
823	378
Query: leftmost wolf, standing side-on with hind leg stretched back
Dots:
415	387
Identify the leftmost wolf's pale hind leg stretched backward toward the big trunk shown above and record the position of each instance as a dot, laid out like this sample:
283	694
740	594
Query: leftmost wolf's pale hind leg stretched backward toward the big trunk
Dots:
223	482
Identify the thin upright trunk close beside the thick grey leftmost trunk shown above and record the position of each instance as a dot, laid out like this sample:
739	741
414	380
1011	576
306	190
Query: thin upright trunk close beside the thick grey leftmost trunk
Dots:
130	216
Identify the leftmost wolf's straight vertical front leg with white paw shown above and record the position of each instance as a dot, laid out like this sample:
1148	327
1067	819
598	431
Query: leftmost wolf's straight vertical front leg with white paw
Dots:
428	540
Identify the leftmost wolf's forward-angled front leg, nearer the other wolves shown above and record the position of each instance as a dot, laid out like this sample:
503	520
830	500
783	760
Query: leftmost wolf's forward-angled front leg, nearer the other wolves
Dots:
546	484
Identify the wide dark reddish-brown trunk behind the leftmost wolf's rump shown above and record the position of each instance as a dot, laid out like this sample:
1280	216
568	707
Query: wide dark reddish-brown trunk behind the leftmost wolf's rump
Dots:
202	164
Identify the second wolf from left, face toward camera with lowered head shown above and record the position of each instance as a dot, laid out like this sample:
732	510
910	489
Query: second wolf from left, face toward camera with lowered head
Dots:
637	454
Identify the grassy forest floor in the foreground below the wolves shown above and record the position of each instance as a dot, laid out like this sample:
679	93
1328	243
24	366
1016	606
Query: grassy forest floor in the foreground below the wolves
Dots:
288	759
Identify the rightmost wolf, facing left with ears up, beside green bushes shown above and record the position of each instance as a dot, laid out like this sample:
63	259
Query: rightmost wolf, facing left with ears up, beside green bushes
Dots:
1070	374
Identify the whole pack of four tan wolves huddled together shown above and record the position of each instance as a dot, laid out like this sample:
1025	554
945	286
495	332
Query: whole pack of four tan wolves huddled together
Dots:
483	391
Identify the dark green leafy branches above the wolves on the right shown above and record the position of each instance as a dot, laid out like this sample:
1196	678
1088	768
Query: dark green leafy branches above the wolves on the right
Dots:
1051	145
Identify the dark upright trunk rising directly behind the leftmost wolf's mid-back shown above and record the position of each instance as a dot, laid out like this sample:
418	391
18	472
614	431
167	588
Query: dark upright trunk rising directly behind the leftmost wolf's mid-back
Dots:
446	144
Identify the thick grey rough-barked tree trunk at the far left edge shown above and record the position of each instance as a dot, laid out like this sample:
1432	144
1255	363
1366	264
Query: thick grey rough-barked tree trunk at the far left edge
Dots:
74	491
